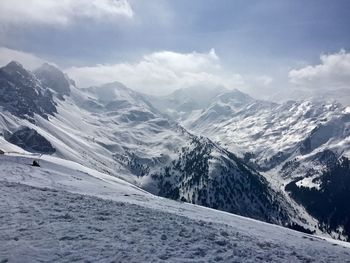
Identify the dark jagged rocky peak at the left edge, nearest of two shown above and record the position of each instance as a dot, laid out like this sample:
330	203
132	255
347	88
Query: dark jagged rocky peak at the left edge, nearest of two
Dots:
22	95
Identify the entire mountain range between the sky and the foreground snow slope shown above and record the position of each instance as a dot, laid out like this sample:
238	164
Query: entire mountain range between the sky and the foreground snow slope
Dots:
240	156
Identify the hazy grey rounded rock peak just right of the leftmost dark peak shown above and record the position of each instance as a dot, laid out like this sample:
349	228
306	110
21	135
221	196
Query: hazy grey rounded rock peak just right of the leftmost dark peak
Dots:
53	78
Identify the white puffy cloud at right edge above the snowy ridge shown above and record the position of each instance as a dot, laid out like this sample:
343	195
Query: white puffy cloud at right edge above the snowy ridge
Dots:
333	72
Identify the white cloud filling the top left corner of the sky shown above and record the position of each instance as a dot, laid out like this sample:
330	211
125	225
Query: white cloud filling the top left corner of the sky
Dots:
61	12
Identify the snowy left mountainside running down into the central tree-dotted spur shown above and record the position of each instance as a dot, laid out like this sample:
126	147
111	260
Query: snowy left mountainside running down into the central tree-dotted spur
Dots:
117	131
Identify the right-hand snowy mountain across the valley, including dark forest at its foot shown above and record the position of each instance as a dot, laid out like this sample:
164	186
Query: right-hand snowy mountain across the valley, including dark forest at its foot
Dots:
298	145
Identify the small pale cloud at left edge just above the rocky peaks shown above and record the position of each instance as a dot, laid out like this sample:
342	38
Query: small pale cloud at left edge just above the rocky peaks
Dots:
28	60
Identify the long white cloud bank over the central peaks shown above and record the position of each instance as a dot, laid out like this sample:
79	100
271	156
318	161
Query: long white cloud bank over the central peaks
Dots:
161	73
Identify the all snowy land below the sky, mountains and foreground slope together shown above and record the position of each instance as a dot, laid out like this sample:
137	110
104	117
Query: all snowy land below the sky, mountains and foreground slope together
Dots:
109	159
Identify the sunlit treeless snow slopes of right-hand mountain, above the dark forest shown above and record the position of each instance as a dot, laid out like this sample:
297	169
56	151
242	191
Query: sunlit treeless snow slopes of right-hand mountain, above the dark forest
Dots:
269	130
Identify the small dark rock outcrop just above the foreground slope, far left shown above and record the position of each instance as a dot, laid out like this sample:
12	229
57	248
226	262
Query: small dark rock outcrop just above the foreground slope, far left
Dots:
30	140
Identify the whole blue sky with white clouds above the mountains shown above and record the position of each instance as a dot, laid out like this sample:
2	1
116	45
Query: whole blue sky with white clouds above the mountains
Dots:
265	47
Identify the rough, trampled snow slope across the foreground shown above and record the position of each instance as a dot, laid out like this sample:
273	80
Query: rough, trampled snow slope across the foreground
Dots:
65	212
